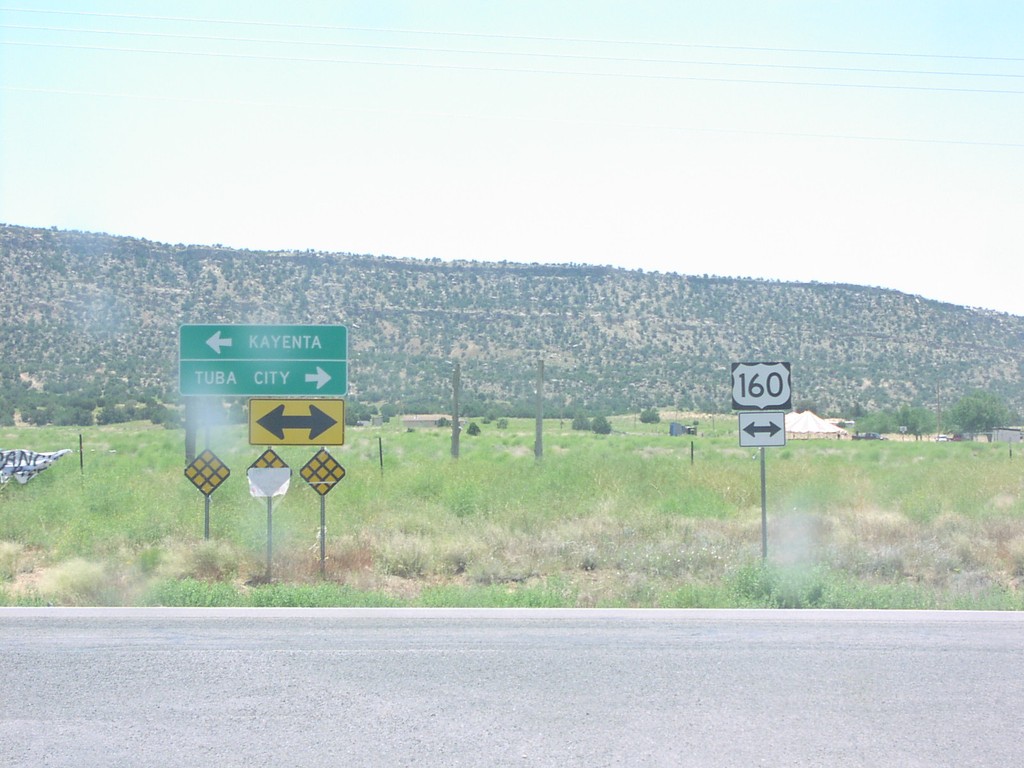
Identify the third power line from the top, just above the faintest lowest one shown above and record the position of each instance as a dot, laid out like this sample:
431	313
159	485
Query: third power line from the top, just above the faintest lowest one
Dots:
511	70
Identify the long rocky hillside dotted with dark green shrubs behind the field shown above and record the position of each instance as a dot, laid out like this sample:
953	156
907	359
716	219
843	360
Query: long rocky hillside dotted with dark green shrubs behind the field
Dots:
92	321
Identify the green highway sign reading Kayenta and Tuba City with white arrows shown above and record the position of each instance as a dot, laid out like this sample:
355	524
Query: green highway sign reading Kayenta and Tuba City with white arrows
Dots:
273	361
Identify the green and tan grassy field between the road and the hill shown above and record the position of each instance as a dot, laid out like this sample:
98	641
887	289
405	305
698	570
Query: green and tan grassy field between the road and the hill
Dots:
635	519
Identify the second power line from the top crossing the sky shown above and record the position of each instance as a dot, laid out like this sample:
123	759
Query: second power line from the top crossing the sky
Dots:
523	55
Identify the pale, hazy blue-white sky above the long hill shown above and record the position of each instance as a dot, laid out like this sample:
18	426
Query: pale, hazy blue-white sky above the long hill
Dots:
879	144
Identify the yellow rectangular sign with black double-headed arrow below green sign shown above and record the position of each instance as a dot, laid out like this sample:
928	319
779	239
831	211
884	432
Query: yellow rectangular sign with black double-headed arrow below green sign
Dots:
296	422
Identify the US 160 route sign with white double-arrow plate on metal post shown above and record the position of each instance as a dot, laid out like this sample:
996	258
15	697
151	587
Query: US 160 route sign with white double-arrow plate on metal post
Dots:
763	392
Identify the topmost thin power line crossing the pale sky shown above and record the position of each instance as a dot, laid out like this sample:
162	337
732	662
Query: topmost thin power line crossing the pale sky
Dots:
534	38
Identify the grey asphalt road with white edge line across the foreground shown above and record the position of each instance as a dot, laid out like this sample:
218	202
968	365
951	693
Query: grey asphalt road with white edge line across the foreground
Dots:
340	688
